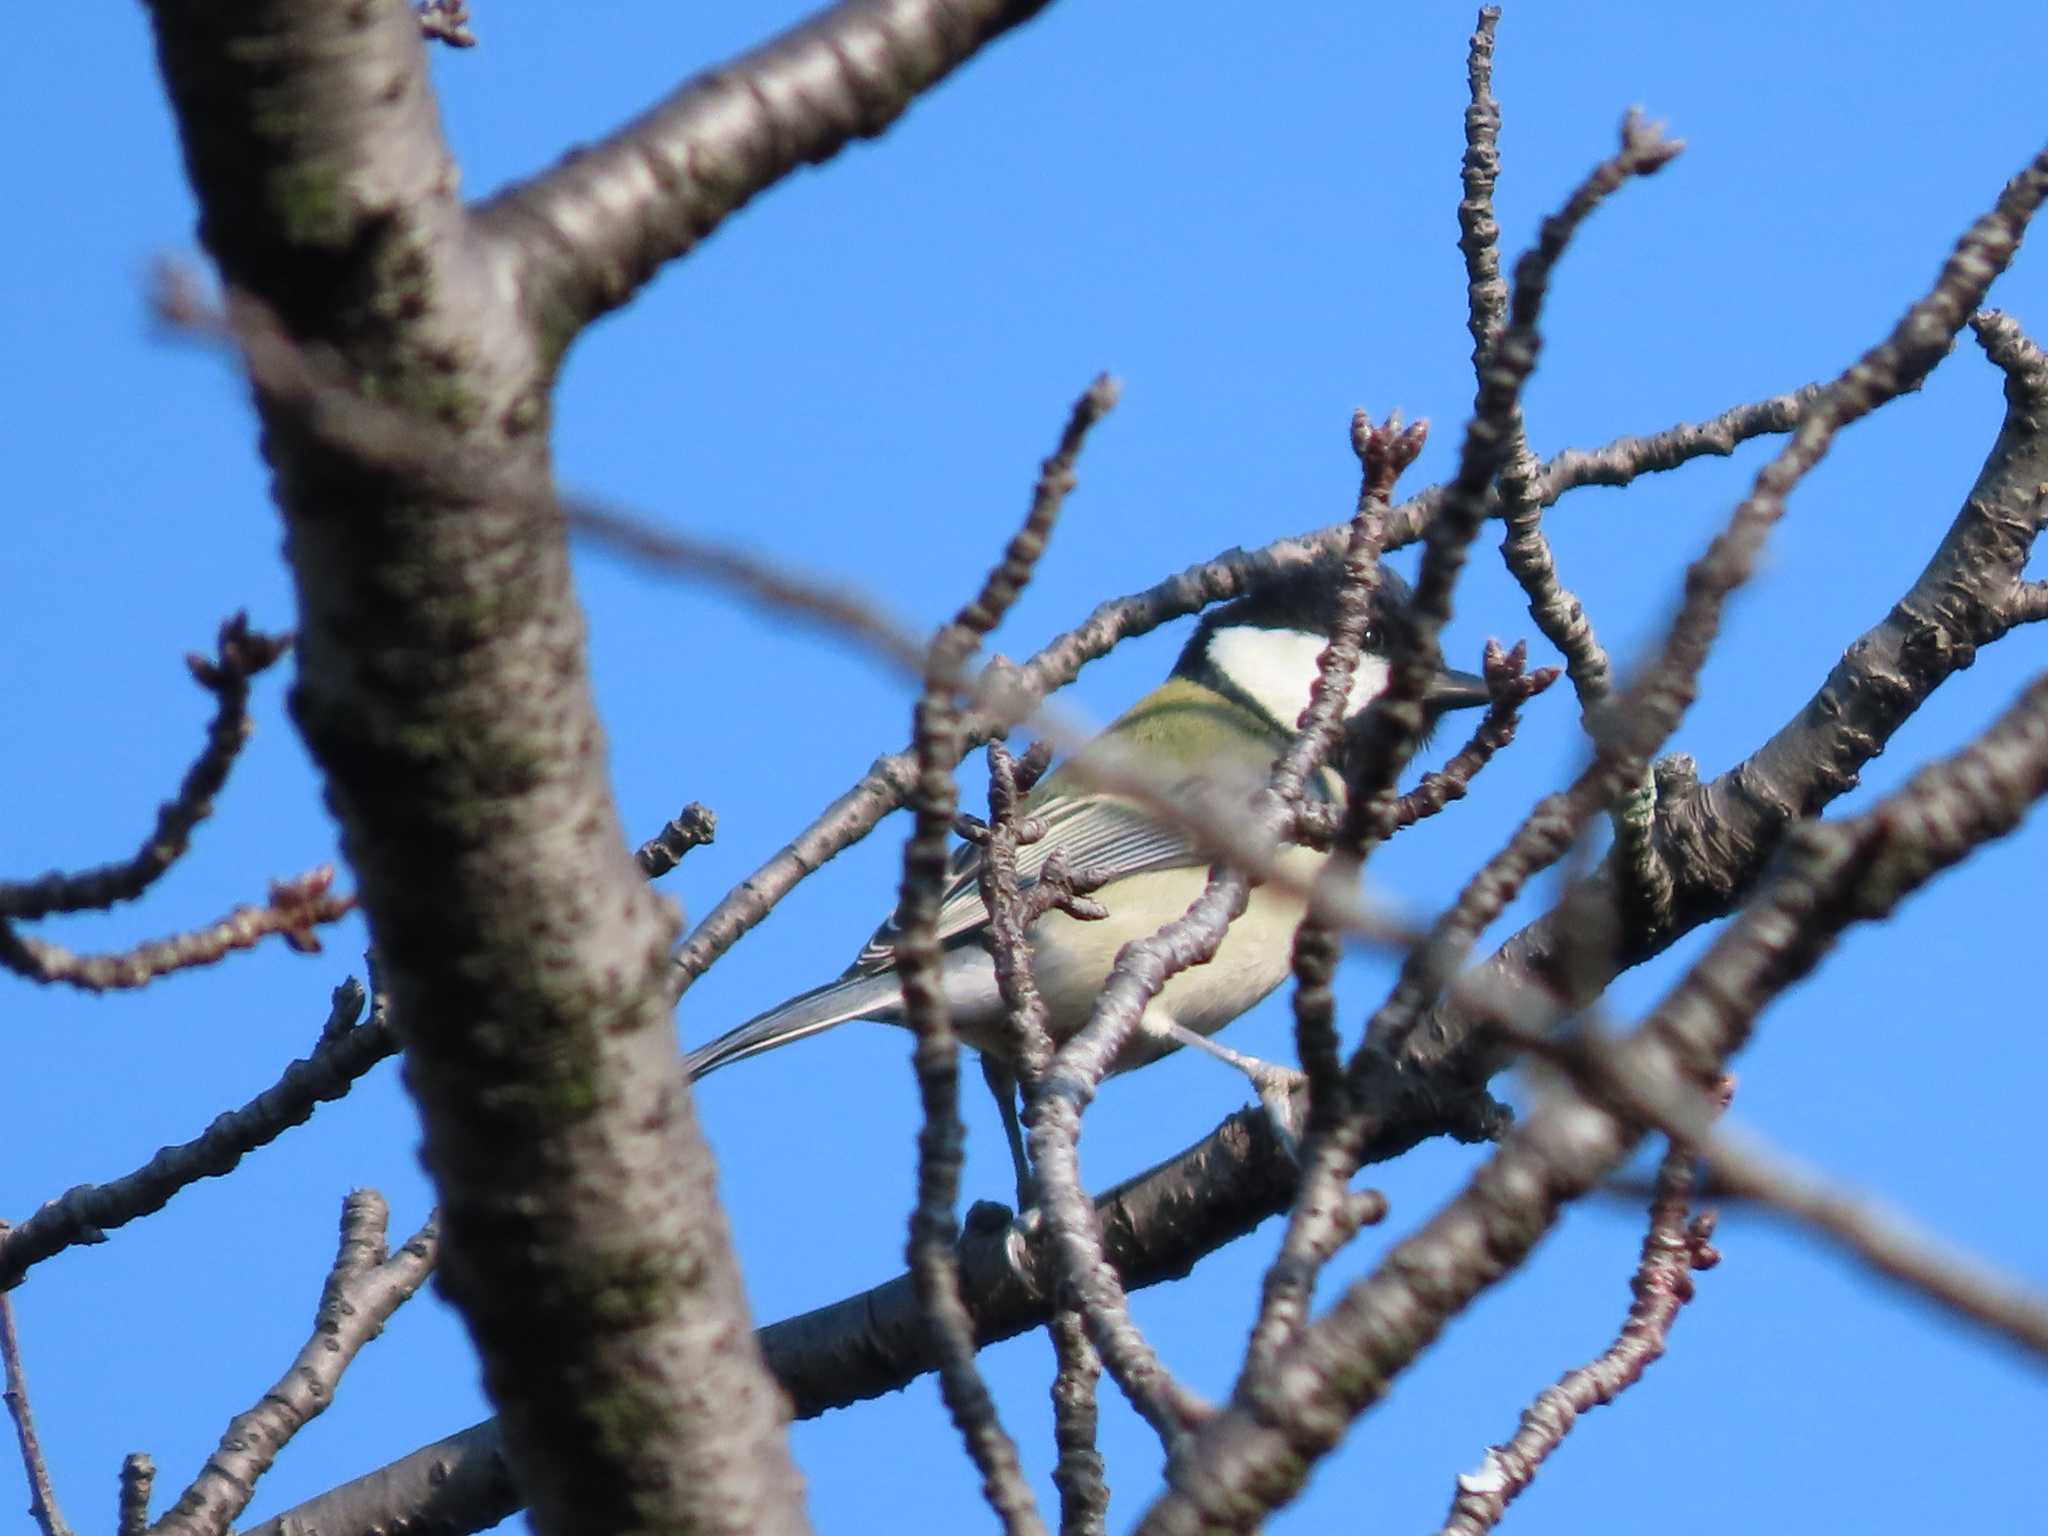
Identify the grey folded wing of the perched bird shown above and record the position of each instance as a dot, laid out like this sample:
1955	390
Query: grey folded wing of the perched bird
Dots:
1099	835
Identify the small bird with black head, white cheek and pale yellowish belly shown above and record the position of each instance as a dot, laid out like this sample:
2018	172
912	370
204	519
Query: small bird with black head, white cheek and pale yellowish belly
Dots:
1215	726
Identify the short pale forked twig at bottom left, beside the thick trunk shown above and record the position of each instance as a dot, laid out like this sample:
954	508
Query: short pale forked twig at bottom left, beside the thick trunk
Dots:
361	1293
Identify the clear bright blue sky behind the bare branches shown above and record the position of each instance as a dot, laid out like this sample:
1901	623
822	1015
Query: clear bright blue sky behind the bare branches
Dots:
1252	222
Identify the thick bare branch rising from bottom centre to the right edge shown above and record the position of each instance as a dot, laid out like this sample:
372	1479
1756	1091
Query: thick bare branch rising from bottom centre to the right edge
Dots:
1254	1453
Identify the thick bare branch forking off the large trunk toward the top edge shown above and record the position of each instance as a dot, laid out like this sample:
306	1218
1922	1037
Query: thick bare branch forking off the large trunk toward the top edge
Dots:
601	224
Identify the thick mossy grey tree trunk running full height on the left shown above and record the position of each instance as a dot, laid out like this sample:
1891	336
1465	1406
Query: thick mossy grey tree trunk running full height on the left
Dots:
445	697
